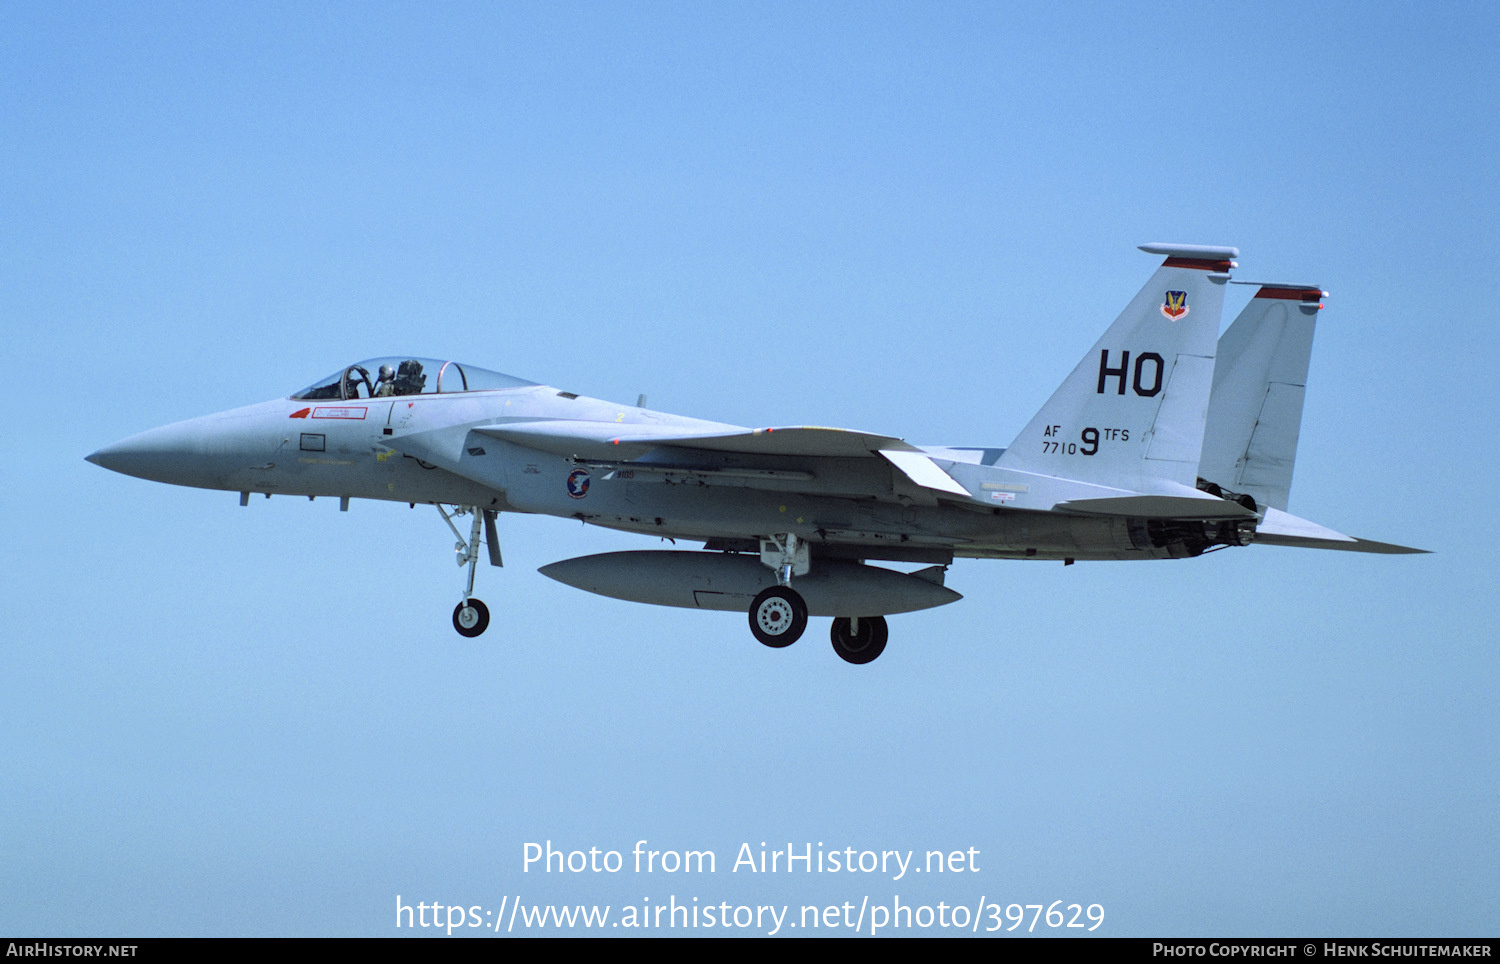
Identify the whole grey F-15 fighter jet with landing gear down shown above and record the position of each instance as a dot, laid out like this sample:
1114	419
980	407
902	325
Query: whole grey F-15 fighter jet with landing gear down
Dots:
1166	442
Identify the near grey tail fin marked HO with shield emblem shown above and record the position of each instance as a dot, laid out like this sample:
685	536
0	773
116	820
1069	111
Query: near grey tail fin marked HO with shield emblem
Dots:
1133	412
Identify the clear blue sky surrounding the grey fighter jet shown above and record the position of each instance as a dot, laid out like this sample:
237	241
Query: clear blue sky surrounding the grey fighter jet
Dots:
905	220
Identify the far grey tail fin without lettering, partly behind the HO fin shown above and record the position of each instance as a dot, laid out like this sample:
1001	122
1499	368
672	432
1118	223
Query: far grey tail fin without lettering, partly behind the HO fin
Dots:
1256	409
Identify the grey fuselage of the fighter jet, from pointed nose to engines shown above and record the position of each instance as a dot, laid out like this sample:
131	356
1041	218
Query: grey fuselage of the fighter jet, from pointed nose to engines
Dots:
358	443
